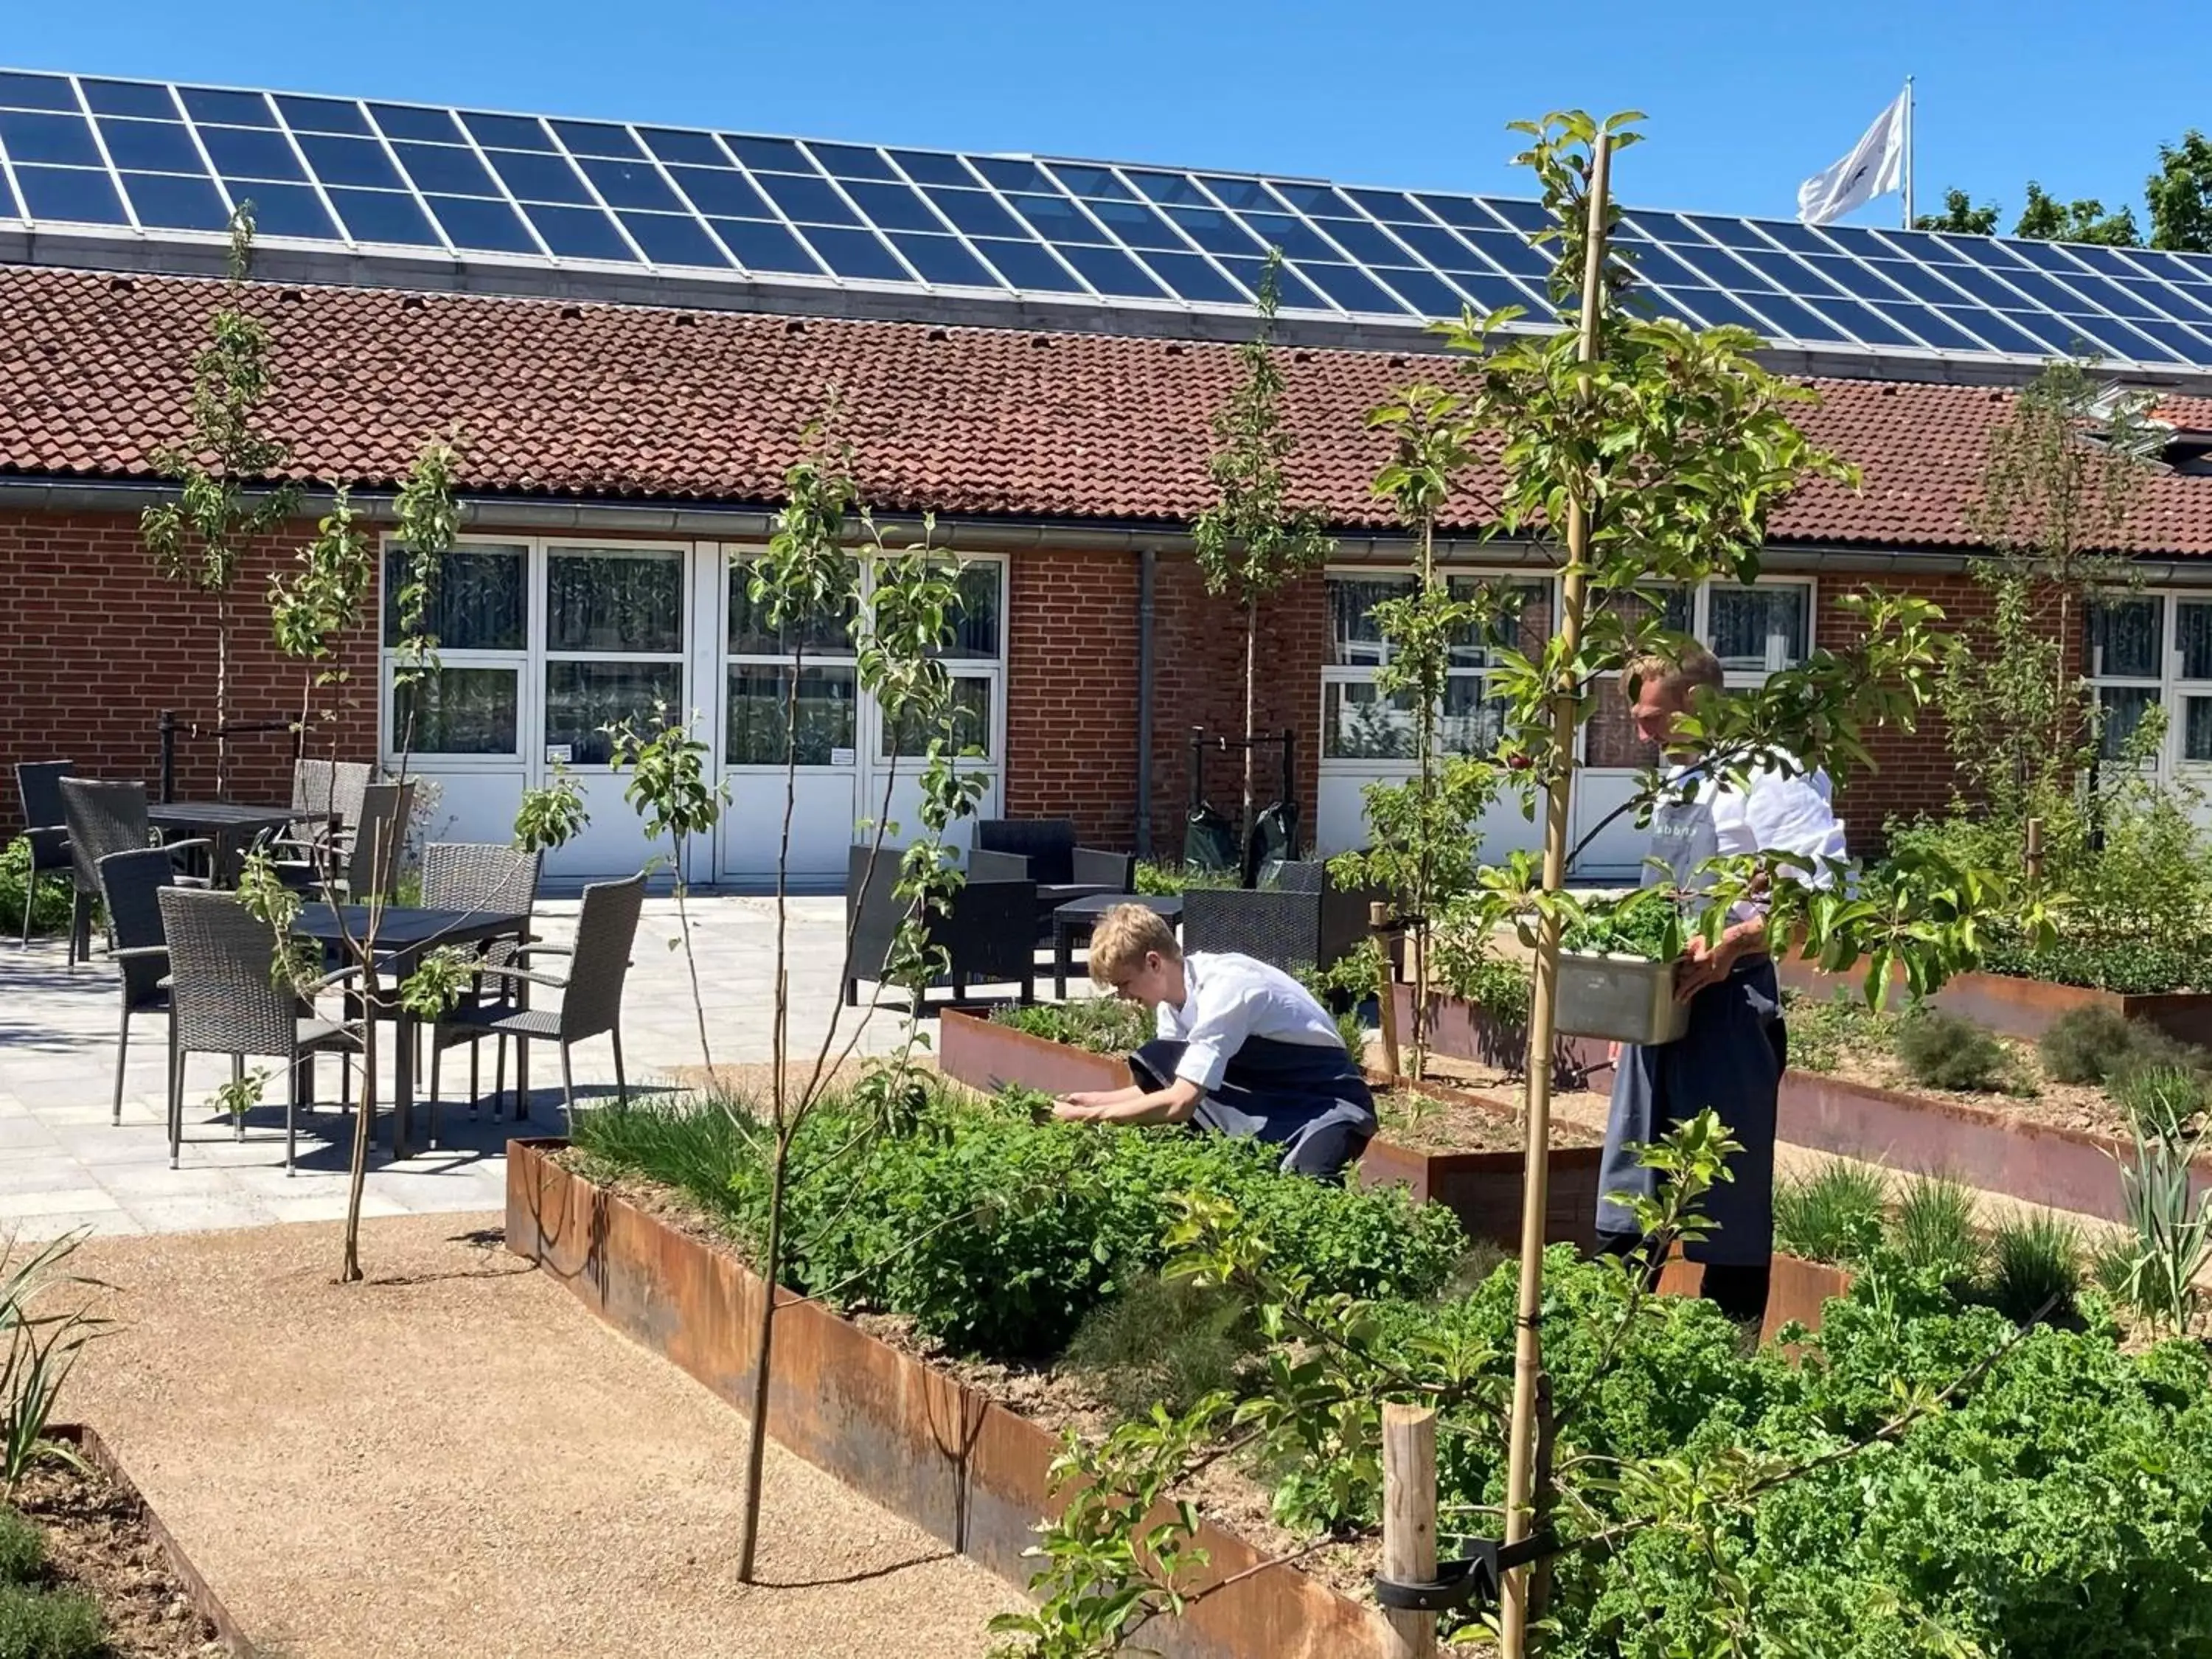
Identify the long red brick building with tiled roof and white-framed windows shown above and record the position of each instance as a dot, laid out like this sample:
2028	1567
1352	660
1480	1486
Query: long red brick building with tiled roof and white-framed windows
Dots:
625	435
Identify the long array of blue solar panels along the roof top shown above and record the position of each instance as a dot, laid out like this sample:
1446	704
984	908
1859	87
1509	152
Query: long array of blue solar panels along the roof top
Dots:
169	163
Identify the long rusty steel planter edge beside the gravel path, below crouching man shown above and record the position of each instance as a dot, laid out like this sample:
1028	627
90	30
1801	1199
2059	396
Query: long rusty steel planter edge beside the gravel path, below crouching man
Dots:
881	1421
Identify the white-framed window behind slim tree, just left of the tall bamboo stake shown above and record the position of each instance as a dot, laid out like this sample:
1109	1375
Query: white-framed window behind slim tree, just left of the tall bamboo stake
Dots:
1361	724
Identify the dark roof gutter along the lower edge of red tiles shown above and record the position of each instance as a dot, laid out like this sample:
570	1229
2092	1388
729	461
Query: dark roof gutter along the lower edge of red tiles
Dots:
738	523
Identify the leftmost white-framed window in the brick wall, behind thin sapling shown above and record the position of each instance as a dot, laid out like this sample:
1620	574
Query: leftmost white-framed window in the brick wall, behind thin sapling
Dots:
477	616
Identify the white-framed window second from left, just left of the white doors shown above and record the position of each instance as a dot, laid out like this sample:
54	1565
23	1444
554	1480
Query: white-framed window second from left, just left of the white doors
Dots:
614	645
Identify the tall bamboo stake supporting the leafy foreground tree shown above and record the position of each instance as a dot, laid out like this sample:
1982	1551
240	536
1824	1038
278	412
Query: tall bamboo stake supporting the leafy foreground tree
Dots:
1543	1005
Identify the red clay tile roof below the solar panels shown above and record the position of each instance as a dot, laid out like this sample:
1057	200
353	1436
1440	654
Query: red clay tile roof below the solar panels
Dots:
612	401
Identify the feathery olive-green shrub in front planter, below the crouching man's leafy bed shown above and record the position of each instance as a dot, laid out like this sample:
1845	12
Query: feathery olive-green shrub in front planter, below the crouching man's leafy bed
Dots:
1162	1342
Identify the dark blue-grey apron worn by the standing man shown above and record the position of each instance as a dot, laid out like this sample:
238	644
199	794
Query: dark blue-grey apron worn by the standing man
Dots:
1731	1058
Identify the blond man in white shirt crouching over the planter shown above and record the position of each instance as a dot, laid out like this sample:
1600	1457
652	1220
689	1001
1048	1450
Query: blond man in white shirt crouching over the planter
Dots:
1242	1050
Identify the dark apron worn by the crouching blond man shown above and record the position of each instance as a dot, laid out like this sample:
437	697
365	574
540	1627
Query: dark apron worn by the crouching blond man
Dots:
1306	1098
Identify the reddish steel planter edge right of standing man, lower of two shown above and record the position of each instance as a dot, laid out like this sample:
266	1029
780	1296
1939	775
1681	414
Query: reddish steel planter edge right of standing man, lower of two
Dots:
2063	1169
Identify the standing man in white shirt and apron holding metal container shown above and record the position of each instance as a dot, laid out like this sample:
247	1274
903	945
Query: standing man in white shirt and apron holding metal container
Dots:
1735	1050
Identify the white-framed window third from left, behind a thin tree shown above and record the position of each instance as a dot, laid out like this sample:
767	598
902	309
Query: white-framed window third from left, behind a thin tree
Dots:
760	674
